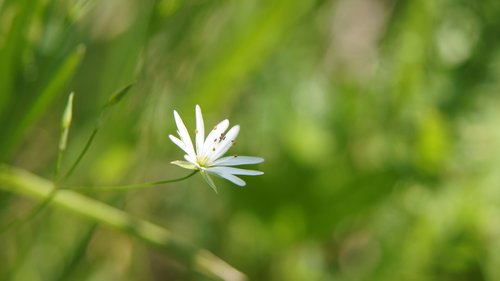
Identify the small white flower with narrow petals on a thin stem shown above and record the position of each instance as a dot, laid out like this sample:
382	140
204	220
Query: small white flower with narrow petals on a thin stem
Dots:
207	156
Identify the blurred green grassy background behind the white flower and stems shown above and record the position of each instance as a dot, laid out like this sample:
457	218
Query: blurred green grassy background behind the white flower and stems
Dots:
378	120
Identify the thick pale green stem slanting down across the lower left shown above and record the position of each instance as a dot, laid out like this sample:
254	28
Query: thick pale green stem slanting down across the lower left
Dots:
201	260
